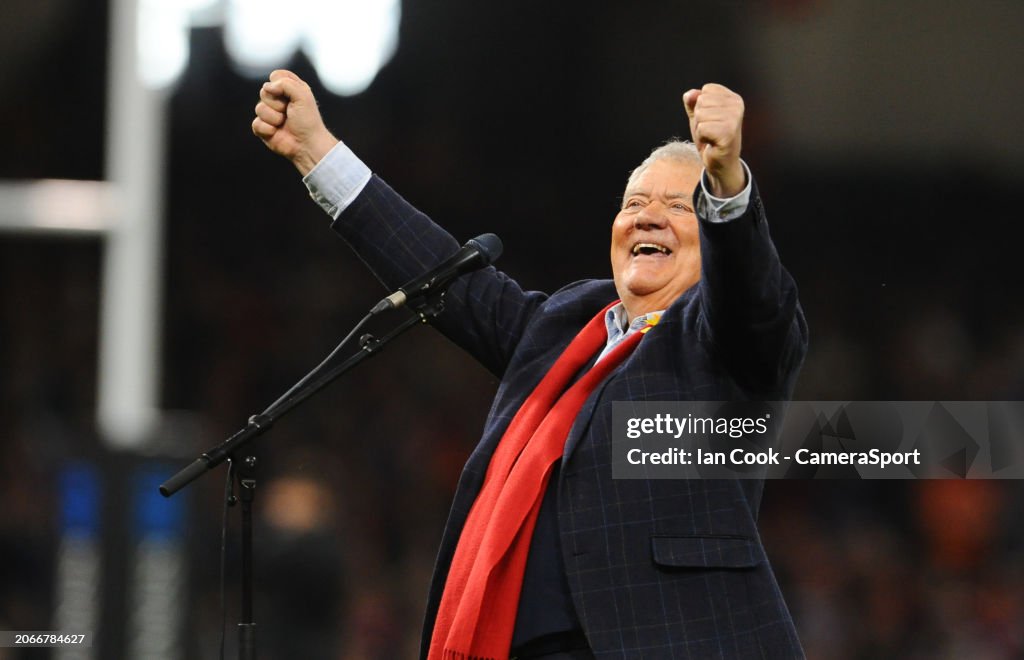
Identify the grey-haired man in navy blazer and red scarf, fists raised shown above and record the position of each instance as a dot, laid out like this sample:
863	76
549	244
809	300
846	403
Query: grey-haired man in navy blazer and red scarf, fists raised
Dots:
545	555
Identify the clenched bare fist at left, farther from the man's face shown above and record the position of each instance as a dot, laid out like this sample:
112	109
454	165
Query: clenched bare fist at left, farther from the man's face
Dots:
289	122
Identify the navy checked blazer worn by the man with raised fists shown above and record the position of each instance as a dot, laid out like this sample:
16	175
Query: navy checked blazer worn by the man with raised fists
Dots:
660	568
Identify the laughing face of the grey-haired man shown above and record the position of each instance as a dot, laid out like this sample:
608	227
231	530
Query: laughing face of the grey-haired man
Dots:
656	246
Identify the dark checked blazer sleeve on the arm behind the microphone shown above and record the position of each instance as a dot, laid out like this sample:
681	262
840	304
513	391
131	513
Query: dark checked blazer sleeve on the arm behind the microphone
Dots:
486	312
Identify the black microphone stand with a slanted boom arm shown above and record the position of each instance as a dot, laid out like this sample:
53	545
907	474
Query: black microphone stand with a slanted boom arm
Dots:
259	425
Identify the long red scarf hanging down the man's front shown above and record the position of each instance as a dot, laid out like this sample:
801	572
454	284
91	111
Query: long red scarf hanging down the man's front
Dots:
478	611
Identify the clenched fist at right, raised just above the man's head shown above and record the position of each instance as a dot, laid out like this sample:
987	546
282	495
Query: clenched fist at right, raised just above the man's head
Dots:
716	115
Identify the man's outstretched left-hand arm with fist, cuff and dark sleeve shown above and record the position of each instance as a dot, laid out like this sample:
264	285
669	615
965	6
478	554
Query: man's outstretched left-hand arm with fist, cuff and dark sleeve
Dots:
485	313
